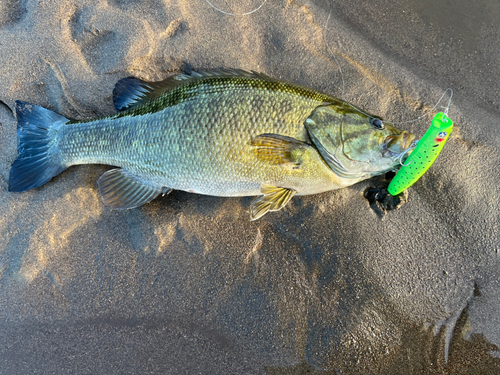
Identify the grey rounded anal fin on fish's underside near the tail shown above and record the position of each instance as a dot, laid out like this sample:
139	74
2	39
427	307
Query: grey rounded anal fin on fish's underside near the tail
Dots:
120	189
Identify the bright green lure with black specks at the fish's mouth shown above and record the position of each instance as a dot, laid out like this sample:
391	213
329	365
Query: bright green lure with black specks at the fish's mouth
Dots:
424	154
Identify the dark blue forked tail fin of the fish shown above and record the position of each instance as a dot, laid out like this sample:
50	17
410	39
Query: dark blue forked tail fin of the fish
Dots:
38	158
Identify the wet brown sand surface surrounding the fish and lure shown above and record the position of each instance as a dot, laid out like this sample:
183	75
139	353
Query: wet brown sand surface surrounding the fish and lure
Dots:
188	284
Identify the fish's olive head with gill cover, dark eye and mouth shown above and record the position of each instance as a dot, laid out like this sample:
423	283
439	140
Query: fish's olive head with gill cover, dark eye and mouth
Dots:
355	144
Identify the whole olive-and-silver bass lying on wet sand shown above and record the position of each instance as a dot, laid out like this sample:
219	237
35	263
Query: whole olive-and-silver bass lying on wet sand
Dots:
224	132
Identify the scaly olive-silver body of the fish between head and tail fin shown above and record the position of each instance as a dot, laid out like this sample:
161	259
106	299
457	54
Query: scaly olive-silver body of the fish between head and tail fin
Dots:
191	142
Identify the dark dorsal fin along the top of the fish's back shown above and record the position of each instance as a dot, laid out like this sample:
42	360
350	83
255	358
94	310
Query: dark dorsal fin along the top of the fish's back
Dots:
130	92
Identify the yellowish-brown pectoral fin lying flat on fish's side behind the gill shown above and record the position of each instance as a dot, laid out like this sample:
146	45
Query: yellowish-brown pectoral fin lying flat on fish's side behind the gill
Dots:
279	149
